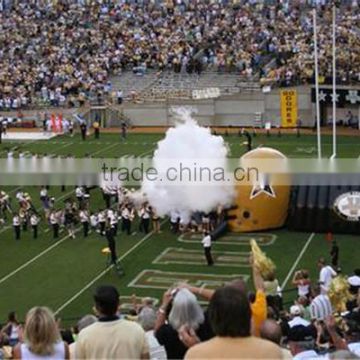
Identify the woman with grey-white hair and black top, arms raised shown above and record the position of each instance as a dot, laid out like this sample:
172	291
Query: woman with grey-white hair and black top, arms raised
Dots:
181	310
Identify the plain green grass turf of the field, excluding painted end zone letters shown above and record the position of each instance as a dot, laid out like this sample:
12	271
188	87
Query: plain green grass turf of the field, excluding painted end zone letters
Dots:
58	275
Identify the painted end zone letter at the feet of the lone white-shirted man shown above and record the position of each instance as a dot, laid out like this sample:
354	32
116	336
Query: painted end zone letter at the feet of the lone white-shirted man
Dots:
196	257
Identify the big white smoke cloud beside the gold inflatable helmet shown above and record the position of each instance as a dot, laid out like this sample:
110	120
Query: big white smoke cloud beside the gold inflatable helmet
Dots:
189	144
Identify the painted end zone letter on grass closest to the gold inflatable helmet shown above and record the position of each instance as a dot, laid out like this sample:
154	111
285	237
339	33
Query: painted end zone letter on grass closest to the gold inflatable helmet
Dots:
231	239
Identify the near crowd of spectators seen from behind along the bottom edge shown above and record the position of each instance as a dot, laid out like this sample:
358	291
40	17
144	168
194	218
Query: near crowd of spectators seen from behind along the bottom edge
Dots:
236	324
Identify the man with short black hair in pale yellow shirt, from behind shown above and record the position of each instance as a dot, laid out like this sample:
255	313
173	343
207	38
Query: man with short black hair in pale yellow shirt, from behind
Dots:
111	337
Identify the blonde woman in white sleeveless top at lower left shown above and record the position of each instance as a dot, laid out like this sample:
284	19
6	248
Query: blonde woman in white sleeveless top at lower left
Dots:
42	338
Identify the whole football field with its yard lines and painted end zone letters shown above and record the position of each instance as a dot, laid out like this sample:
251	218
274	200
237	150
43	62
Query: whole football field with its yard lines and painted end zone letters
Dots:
62	274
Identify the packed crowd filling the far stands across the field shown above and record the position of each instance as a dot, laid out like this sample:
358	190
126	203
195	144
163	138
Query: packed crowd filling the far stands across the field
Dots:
65	52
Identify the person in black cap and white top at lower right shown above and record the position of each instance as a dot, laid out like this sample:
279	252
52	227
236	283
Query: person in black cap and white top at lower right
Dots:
301	341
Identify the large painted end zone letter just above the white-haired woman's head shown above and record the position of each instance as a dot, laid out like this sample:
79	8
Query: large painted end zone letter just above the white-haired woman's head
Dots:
156	279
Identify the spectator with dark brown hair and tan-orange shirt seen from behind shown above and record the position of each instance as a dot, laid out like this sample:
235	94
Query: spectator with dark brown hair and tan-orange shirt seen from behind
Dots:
230	319
